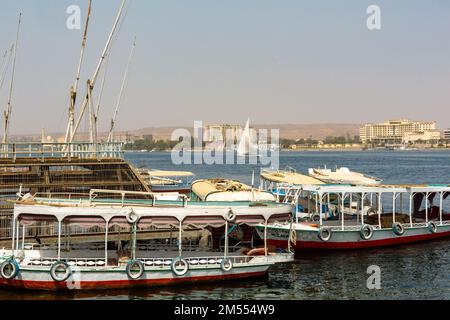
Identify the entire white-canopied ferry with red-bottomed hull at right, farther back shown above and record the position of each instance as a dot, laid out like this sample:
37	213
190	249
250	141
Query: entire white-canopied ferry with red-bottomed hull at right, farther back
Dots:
355	217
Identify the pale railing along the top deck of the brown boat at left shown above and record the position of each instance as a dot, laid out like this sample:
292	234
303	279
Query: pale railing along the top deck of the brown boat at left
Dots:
83	150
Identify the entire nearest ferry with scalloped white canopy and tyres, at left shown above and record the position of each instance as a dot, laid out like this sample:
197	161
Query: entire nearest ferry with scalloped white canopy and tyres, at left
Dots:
84	266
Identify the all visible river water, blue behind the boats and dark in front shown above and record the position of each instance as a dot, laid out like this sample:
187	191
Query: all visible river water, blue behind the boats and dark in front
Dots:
417	271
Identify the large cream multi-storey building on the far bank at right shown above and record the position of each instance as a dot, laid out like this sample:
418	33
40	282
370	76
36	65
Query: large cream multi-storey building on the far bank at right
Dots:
399	131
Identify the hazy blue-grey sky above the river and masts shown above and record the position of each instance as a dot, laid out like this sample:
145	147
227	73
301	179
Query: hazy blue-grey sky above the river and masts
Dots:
277	61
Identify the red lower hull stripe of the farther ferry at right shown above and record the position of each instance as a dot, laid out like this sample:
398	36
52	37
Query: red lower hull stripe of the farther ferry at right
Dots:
322	245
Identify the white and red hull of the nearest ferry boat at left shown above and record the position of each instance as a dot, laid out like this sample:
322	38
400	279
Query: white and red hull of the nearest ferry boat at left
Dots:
33	279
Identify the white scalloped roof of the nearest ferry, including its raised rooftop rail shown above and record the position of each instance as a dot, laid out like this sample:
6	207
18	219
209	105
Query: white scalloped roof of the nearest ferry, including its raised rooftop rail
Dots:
95	211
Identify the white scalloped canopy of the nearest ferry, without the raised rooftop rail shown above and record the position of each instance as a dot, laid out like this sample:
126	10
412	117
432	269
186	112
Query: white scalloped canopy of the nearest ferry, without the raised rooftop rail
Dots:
88	214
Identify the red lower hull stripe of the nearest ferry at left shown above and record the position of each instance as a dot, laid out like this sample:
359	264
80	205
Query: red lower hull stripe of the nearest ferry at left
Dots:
122	284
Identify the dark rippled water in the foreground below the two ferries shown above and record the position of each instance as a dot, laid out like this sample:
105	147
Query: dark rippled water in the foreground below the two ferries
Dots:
418	271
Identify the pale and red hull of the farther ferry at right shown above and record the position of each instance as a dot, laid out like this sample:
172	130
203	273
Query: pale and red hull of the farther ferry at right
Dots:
351	239
